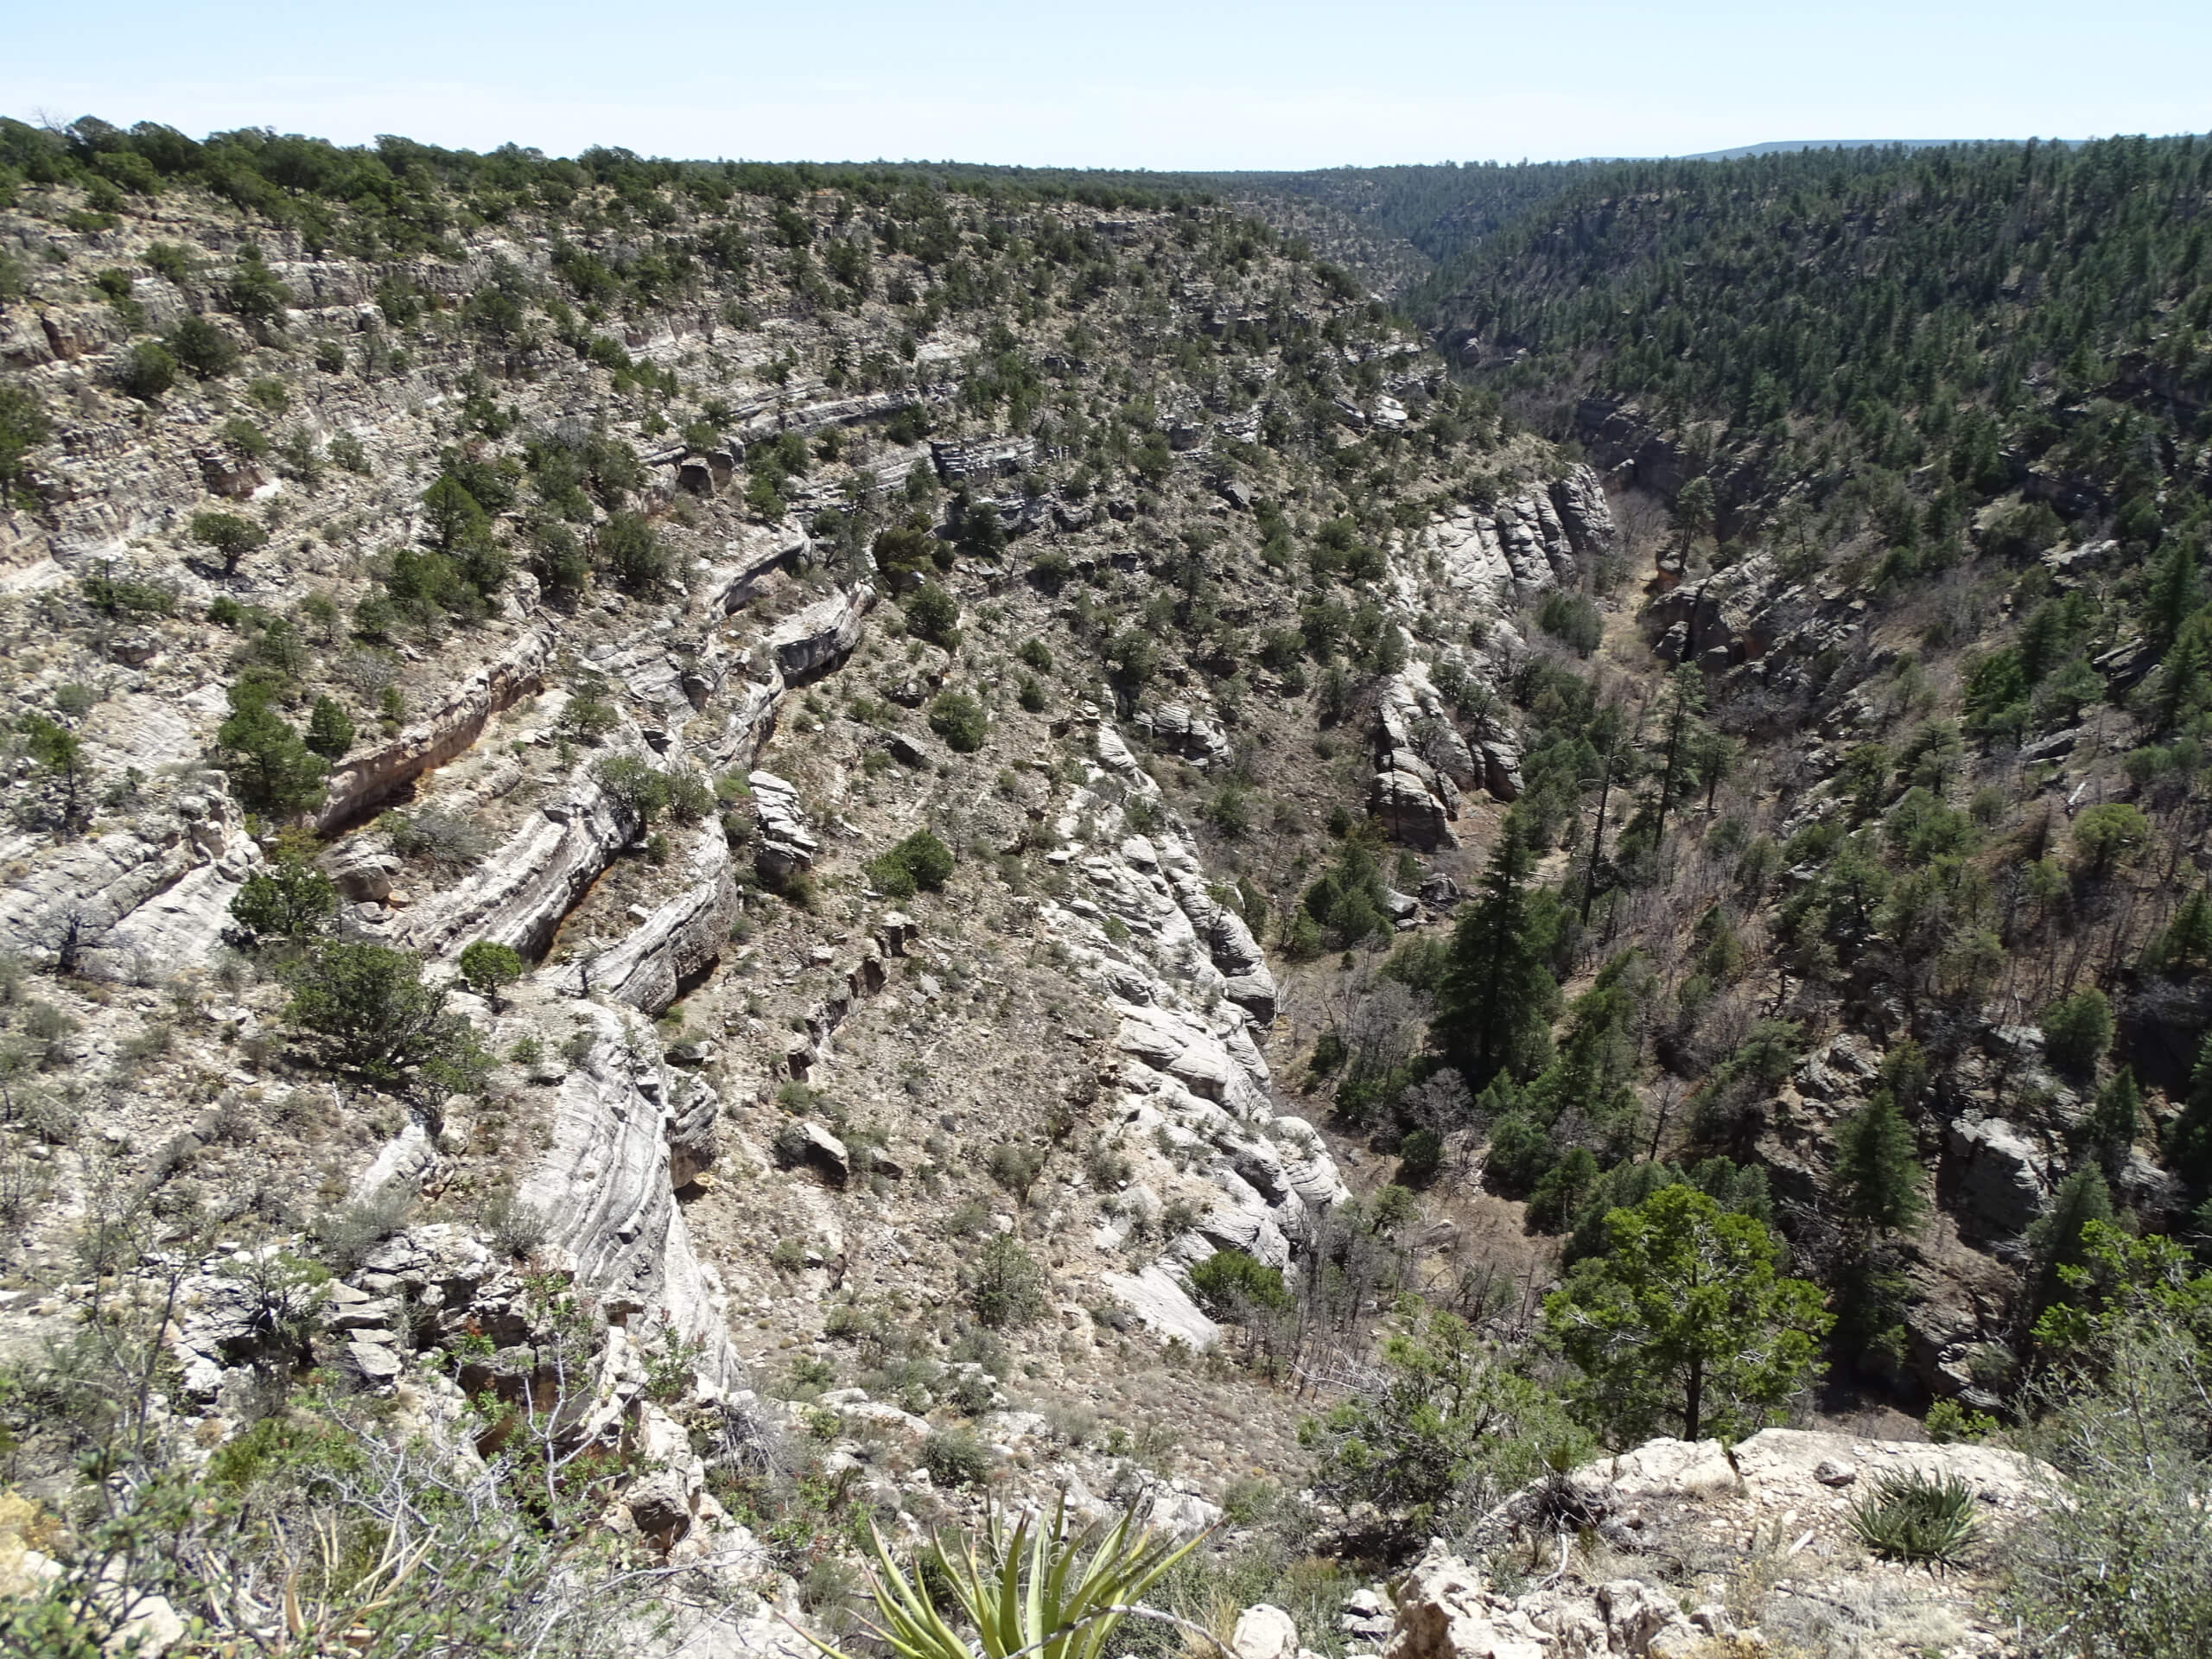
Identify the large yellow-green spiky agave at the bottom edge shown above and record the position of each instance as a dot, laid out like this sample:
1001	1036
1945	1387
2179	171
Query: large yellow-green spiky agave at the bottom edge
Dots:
1036	1594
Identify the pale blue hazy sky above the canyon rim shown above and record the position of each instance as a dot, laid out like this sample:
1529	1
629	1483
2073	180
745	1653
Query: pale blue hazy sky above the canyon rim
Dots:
1123	85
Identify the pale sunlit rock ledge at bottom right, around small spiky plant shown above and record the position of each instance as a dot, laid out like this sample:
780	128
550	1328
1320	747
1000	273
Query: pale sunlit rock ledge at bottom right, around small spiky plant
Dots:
1698	1552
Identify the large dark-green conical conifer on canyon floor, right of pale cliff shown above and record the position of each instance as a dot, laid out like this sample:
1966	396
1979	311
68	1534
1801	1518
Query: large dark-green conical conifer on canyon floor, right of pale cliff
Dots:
1499	997
